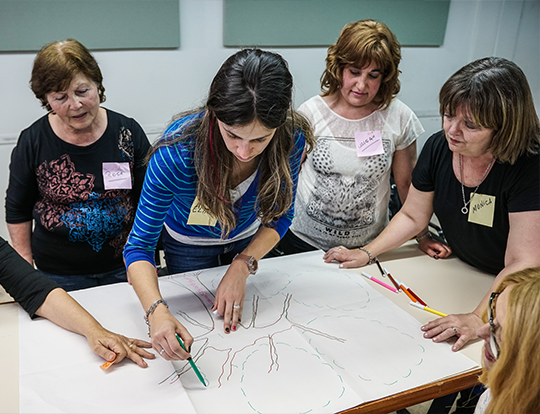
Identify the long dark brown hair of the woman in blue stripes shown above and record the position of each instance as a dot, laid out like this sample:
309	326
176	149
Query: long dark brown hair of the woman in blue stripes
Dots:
251	85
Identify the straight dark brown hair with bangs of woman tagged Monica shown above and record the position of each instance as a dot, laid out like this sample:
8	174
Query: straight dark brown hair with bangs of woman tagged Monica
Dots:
496	95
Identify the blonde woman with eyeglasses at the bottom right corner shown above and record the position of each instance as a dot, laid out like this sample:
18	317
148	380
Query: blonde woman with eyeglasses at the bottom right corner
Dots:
511	357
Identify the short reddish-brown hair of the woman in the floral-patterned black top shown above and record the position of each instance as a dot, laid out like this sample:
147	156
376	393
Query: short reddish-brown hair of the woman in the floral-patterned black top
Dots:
56	65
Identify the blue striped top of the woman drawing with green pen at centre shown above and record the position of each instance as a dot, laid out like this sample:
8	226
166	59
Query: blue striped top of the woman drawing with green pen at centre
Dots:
170	188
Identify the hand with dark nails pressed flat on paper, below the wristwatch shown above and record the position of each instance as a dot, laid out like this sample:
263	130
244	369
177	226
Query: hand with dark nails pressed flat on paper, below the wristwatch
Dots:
230	295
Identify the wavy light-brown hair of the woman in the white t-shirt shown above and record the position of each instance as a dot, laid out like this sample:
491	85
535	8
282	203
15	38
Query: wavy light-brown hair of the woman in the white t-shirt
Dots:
360	44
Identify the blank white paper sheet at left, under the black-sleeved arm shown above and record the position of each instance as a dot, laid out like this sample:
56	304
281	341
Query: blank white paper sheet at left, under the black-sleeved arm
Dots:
58	373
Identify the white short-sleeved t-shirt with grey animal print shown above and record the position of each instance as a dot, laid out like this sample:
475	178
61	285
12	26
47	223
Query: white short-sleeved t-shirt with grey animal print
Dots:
342	199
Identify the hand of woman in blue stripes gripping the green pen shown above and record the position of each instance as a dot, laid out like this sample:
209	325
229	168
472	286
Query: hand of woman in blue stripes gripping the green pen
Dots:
163	330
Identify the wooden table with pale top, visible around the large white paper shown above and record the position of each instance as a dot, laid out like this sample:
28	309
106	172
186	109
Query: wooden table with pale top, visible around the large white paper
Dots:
448	285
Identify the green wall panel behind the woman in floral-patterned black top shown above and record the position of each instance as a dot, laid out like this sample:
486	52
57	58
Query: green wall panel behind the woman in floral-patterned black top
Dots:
27	25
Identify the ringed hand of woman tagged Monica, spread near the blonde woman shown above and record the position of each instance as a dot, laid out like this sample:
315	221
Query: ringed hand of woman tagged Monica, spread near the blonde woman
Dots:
464	326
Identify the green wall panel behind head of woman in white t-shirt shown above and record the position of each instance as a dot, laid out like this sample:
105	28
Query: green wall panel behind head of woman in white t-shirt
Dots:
289	23
